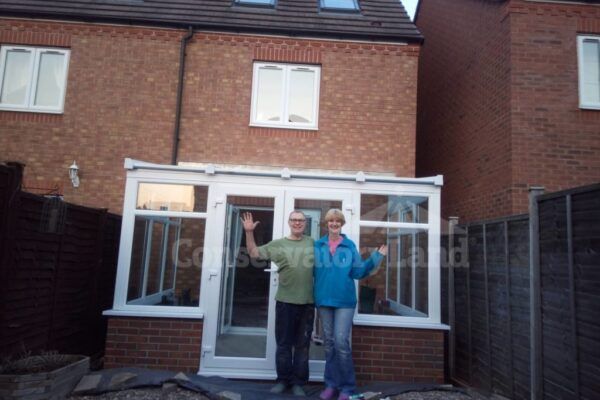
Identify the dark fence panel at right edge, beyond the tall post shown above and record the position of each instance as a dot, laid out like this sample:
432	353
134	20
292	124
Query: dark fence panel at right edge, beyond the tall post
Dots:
569	242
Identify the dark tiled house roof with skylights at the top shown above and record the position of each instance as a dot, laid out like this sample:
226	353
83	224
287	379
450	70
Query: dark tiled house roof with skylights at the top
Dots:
379	20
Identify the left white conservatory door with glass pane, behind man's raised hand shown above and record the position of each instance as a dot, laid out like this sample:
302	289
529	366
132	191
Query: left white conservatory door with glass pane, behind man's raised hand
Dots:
238	339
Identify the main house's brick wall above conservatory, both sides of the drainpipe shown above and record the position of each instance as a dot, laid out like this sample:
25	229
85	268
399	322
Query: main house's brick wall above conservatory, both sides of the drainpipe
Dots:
120	102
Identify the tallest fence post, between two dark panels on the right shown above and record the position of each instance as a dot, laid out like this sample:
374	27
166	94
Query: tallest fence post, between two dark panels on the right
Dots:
535	294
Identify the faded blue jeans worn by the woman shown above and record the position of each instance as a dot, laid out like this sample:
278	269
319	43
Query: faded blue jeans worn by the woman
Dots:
339	367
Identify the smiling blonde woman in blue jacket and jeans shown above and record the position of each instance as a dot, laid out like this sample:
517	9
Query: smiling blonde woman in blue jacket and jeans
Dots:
337	264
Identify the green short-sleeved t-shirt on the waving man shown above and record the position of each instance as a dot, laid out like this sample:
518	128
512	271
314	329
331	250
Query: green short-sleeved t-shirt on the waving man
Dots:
295	261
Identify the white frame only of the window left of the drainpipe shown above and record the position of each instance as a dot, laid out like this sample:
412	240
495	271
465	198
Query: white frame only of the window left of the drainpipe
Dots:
34	66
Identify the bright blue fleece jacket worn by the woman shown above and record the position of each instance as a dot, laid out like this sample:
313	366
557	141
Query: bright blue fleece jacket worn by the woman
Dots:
335	274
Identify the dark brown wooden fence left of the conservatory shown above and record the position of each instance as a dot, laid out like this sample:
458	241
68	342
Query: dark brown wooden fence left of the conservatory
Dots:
57	271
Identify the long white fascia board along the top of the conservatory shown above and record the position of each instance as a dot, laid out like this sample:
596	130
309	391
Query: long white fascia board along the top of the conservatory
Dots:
286	173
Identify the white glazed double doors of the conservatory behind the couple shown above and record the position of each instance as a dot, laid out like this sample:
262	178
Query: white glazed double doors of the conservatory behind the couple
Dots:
239	292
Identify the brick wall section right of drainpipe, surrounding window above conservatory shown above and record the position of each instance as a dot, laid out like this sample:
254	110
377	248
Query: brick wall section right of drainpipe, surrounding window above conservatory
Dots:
367	119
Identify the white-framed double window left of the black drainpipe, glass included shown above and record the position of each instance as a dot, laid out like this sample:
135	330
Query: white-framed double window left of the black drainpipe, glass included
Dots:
33	79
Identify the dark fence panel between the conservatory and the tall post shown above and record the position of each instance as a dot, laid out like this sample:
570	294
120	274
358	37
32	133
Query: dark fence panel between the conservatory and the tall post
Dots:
491	302
